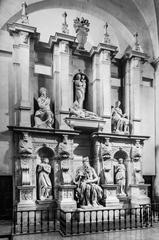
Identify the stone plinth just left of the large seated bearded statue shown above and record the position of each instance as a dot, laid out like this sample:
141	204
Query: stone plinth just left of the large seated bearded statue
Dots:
66	197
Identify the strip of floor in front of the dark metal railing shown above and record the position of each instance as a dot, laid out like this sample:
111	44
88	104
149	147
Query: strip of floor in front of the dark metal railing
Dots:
143	234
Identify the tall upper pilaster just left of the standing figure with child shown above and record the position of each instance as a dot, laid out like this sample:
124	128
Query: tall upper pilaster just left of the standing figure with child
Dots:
61	68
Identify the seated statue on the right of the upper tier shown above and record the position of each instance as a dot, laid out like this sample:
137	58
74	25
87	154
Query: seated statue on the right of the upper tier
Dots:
120	122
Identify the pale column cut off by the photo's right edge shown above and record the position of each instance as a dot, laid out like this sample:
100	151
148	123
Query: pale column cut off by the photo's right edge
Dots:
156	87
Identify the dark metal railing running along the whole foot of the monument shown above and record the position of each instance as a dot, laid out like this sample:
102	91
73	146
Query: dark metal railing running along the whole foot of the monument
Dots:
84	221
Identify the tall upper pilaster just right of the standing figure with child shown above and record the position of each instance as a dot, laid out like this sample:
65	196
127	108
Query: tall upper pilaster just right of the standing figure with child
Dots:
103	91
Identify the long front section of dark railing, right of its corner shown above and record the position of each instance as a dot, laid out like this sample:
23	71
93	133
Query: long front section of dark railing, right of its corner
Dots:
93	221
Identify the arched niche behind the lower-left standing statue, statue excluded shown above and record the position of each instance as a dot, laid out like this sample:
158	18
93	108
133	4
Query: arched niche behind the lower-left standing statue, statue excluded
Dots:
42	154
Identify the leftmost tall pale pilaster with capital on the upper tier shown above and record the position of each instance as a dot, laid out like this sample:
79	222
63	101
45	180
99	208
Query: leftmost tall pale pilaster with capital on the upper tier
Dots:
23	39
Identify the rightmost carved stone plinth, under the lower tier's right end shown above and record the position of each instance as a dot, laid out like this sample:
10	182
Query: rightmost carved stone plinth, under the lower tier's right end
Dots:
138	194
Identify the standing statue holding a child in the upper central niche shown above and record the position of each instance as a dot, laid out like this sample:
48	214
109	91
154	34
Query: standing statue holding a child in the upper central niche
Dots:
80	88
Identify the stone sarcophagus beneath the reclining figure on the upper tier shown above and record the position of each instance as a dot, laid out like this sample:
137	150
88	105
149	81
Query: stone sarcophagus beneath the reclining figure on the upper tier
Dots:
81	123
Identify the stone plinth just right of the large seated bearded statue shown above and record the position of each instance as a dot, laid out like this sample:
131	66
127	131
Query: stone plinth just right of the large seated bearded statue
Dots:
110	196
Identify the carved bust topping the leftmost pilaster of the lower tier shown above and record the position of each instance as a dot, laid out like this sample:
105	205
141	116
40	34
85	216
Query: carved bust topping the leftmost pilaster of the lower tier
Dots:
25	144
